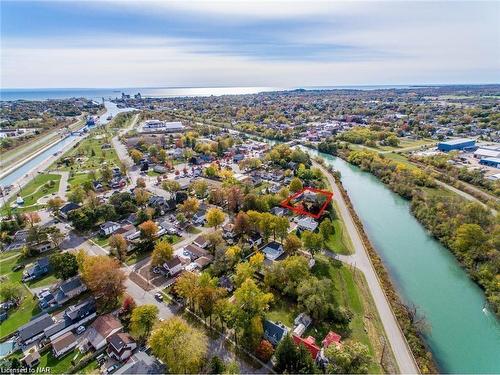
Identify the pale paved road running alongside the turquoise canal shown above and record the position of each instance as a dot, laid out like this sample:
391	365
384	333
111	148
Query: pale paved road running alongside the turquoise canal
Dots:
360	260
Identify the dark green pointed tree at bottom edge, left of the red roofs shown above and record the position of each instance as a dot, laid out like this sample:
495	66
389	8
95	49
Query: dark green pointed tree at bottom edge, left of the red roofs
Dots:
292	359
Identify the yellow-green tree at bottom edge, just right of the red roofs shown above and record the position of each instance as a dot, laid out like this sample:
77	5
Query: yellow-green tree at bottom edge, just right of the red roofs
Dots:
348	358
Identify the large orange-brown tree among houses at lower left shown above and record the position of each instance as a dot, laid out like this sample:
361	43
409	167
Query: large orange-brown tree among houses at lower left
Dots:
104	278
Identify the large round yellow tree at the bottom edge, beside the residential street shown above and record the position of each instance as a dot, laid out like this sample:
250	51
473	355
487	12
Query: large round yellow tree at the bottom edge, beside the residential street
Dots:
181	347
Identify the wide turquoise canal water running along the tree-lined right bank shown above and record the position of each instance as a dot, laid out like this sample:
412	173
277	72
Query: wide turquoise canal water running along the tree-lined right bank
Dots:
464	336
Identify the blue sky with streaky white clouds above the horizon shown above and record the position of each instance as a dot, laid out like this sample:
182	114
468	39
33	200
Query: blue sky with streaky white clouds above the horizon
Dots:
49	44
